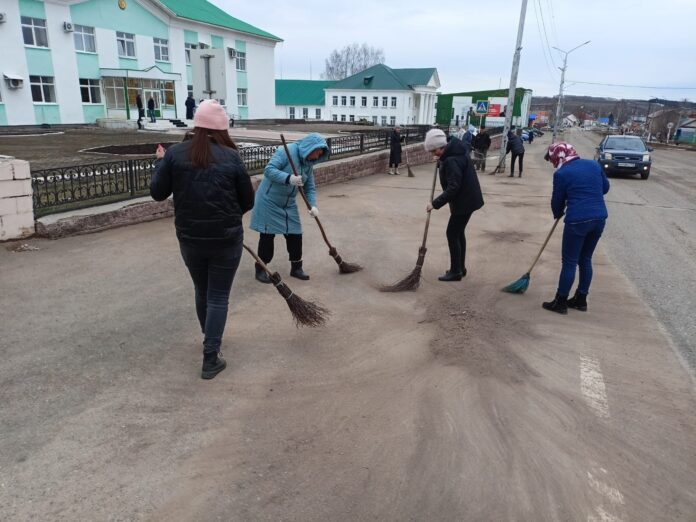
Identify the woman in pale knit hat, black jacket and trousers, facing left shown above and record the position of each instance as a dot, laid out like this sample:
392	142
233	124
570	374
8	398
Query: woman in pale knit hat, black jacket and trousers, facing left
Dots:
461	190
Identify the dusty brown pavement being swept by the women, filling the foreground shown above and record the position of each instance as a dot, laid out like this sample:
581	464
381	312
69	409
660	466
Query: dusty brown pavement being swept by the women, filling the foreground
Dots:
456	402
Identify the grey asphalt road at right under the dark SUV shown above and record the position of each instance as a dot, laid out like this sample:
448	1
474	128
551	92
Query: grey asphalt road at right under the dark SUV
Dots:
651	236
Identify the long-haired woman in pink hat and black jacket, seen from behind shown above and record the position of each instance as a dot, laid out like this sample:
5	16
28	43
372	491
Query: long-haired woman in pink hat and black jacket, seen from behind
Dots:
212	191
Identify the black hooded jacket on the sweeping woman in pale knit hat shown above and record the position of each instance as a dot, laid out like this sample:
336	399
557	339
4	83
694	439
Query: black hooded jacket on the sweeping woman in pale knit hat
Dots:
458	179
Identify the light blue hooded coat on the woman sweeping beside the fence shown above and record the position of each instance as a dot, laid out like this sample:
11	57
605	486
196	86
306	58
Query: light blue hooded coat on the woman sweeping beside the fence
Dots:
275	207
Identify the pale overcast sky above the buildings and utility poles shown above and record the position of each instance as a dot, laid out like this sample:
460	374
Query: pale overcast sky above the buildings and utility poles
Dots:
471	43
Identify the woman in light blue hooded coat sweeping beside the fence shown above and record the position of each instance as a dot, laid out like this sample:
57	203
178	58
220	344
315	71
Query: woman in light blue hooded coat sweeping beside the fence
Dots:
275	209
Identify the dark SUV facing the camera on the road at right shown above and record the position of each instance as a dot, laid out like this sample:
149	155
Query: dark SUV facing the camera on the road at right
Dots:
619	154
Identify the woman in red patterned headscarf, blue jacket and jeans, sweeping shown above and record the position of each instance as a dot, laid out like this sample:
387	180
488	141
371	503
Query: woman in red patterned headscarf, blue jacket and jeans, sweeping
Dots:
579	187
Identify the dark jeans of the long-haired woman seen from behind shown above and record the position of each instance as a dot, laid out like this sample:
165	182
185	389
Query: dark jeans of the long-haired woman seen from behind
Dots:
212	271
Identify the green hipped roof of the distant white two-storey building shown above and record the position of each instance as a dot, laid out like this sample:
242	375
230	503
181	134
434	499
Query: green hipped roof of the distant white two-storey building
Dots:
383	78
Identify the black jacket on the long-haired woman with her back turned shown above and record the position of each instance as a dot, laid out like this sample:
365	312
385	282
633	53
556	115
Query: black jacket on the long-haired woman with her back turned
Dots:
208	203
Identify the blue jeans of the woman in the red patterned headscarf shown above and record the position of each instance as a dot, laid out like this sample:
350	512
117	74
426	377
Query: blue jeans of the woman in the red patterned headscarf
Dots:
579	242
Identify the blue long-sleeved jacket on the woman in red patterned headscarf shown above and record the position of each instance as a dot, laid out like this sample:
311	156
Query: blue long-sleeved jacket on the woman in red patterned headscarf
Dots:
578	189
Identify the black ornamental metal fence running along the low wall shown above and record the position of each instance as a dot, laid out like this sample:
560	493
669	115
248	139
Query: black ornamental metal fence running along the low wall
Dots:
68	188
